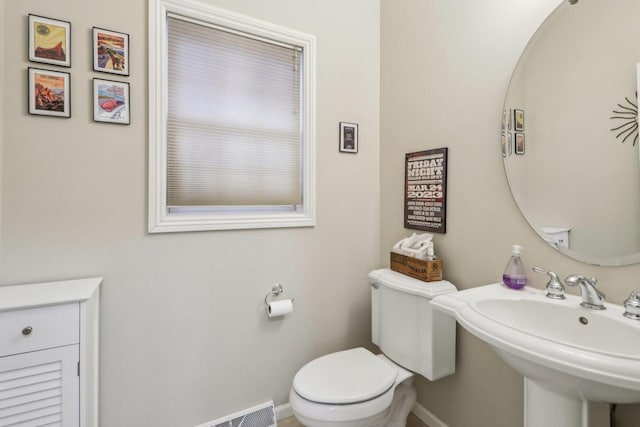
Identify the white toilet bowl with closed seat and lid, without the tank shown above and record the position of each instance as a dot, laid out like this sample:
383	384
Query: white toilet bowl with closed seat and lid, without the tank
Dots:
352	388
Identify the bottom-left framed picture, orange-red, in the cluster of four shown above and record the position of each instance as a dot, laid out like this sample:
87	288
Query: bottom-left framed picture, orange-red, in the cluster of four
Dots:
49	93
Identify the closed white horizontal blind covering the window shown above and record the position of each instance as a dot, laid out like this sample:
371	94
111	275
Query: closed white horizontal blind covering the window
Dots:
234	125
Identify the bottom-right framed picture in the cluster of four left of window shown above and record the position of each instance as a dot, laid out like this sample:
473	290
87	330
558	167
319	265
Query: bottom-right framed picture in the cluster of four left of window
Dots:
111	102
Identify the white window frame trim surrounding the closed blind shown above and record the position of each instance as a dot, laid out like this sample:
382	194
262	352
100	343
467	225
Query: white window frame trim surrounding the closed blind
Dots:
160	218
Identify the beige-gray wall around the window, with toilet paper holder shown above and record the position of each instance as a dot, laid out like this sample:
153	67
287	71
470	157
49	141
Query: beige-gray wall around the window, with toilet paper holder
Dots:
184	335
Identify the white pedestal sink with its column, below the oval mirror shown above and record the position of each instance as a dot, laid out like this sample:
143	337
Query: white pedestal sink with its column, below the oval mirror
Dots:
569	355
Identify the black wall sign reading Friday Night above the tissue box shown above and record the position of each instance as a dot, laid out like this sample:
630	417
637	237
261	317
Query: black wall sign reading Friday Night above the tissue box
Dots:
426	190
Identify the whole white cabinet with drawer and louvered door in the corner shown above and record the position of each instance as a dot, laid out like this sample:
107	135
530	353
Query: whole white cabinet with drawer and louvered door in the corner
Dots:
49	354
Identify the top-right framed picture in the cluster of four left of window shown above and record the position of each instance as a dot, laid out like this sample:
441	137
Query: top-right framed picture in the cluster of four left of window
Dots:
110	52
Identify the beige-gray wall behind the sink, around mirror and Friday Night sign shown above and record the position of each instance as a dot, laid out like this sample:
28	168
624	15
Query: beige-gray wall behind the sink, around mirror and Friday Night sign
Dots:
445	70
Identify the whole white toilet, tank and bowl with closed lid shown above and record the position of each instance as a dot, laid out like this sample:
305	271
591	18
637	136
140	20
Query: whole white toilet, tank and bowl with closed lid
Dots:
355	388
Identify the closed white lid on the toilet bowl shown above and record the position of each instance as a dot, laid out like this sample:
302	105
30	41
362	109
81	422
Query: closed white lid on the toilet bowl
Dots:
349	376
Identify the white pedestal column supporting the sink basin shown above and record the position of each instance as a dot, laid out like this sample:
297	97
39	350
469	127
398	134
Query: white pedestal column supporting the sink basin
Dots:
544	408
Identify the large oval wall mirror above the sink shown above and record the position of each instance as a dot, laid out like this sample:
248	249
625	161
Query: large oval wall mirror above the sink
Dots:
569	136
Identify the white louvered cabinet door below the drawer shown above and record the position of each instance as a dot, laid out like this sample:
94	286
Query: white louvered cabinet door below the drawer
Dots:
40	388
